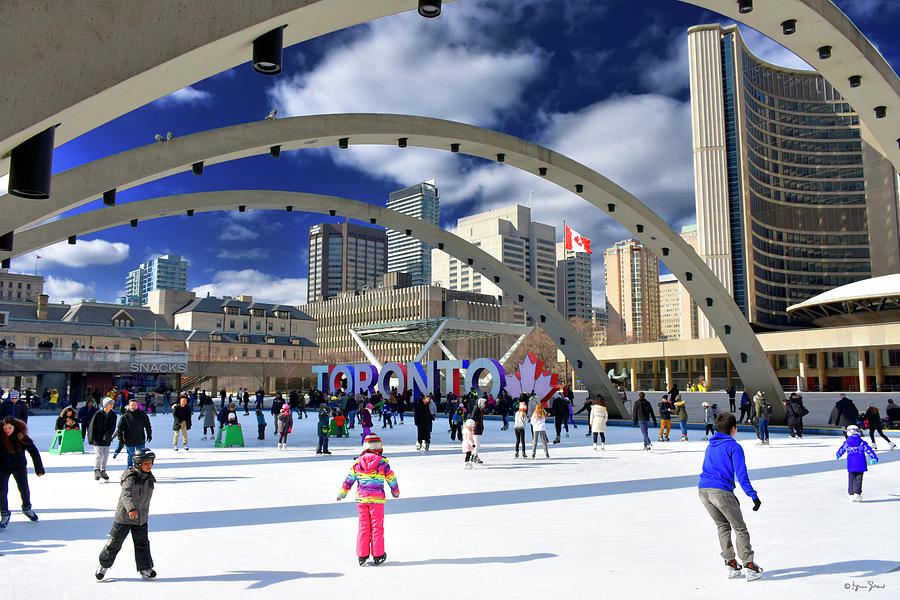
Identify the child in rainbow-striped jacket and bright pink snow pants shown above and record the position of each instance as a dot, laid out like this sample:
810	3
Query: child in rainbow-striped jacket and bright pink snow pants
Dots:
370	472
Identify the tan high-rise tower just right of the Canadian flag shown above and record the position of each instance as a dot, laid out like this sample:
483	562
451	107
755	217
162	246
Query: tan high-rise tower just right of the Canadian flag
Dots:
632	293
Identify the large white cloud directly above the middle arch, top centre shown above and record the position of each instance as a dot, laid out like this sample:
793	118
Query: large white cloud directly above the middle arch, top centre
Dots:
405	65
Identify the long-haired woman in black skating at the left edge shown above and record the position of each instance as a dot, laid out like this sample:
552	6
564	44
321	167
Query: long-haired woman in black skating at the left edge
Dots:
14	442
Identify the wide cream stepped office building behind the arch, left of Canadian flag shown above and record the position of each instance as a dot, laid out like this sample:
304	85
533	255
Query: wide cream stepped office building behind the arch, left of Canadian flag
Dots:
509	235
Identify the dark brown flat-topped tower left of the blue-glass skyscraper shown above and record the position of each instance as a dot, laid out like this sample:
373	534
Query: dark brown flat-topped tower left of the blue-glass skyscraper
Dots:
344	257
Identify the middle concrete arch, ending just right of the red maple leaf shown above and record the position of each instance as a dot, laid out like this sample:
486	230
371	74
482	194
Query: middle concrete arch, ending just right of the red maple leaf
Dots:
85	183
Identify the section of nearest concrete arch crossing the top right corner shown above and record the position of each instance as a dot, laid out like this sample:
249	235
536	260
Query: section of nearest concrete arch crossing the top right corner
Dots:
820	24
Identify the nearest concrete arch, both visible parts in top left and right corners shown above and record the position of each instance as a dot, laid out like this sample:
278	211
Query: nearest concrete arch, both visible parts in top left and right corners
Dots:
106	71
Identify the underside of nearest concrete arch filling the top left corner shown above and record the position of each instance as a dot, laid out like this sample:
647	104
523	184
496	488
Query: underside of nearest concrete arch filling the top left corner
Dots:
103	70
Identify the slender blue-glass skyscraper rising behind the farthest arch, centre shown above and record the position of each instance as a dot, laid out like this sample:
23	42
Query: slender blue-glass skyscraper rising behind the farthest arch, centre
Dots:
405	253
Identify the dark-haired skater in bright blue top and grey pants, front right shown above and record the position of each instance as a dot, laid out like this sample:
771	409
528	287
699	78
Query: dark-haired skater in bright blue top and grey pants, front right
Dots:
724	460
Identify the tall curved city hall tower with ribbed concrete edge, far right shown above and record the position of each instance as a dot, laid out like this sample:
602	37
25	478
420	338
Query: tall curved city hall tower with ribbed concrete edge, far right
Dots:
793	196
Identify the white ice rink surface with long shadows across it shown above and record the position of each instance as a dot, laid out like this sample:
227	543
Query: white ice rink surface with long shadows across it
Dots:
258	523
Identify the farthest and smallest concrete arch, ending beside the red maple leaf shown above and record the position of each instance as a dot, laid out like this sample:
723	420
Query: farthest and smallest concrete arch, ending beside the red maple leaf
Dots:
567	338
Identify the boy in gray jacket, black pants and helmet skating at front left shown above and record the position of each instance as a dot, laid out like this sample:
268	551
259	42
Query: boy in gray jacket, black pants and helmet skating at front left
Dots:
132	514
